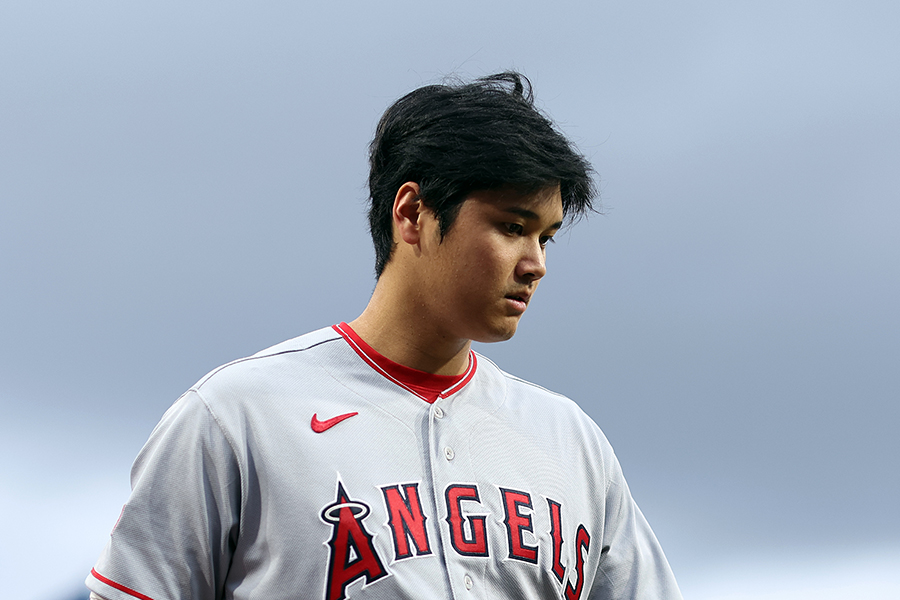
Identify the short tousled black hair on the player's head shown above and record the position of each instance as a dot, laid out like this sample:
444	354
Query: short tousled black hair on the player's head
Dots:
455	139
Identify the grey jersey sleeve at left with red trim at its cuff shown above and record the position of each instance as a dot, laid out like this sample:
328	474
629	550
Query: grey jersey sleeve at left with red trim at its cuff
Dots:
179	528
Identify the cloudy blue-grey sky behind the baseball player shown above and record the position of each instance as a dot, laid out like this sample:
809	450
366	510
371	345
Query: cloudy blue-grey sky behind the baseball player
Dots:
182	185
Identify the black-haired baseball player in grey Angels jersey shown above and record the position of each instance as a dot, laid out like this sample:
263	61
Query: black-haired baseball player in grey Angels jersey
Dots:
384	458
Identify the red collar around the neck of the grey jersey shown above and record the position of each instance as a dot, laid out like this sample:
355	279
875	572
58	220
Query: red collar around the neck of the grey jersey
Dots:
427	386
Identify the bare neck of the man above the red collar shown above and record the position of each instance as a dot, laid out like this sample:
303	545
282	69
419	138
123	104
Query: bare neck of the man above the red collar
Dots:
395	325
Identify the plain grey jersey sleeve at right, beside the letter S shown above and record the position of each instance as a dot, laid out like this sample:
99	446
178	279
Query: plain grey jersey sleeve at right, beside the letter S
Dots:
632	564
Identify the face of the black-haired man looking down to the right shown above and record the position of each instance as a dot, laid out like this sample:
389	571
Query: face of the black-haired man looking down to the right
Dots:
478	280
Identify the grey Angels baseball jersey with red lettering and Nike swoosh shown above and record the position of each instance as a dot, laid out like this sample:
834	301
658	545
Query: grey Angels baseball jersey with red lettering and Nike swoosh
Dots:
319	469
